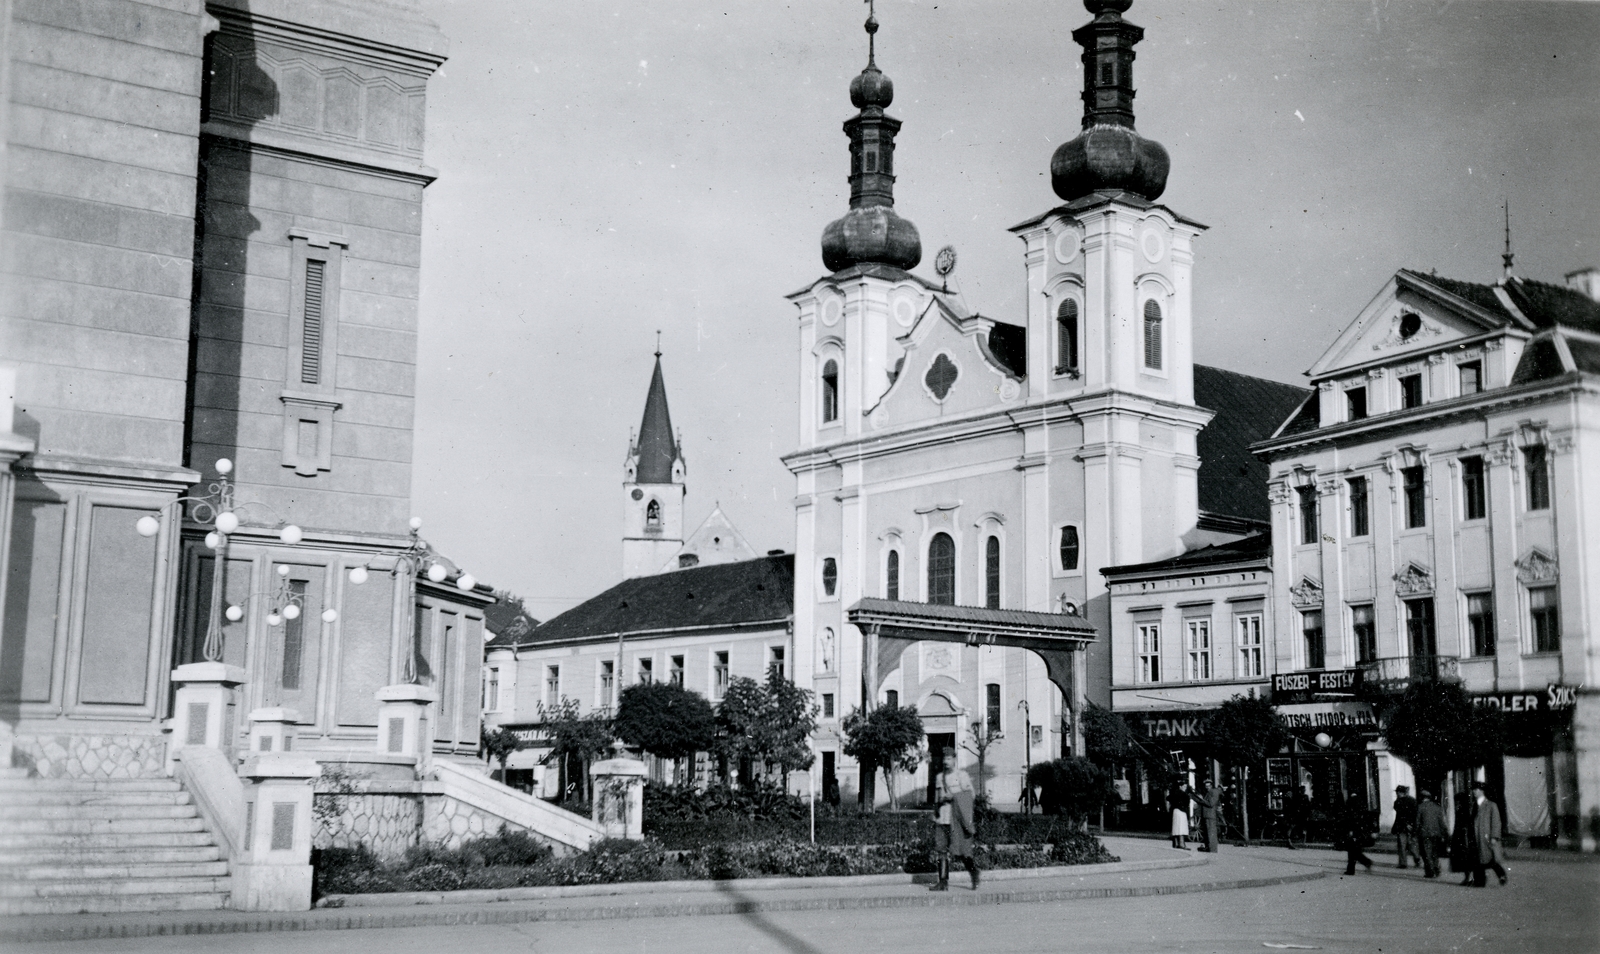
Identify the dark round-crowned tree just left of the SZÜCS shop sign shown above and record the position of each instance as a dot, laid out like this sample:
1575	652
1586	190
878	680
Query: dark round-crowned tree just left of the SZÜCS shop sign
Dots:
1436	729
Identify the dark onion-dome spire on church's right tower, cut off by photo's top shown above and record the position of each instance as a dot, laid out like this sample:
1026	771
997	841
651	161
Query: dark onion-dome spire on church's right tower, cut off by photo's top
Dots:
1108	156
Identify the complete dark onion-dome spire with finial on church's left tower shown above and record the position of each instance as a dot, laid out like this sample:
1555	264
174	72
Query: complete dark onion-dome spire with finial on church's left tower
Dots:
871	231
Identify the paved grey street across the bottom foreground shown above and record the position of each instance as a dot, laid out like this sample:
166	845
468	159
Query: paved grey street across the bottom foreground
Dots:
1550	907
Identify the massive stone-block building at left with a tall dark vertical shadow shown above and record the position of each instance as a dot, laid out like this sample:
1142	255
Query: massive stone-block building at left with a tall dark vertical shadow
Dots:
212	234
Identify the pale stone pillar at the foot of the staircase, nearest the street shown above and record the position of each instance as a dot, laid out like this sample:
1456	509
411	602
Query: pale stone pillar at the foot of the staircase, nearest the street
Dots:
273	872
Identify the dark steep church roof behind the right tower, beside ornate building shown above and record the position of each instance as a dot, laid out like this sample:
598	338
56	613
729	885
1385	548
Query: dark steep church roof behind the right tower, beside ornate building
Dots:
1234	481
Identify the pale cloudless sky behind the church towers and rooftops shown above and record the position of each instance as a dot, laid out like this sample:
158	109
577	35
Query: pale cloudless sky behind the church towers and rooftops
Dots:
620	167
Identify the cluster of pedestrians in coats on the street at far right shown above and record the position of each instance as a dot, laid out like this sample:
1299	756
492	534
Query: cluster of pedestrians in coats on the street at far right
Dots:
1474	844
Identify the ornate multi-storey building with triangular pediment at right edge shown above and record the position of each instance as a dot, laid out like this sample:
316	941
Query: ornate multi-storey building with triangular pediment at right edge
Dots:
1434	524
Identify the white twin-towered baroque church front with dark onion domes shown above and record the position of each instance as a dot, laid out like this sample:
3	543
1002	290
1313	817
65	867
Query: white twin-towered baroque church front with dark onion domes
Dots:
983	467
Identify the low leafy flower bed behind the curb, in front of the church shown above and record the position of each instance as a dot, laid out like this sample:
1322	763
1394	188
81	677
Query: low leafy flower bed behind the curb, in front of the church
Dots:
518	860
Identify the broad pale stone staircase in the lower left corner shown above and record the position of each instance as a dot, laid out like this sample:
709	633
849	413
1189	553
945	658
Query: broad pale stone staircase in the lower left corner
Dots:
103	846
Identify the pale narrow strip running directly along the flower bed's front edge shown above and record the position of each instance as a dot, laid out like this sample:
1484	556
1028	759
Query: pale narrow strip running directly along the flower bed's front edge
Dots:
750	884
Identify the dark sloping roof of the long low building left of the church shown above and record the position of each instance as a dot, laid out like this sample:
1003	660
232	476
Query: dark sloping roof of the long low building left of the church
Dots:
724	595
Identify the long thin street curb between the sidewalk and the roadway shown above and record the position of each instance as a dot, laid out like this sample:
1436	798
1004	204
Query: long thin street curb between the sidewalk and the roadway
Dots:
337	920
